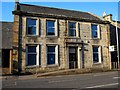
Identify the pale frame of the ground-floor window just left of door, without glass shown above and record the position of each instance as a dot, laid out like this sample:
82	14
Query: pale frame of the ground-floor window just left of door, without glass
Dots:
56	54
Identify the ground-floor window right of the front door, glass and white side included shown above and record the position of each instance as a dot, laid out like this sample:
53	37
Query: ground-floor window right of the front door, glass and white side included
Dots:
96	54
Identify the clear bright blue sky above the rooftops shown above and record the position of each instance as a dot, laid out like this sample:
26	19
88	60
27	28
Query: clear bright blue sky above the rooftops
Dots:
96	8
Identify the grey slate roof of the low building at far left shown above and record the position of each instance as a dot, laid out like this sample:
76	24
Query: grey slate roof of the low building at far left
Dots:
7	31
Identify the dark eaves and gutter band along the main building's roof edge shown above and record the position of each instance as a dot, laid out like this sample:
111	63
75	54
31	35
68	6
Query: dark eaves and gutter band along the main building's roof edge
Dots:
56	16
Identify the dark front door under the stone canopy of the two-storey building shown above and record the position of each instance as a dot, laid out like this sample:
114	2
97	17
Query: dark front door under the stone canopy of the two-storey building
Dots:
72	57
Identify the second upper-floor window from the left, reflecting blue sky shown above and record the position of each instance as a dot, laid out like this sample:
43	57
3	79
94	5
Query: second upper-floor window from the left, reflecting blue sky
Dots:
50	26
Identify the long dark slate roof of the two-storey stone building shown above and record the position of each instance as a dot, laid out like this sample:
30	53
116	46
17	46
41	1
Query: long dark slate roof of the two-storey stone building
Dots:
26	8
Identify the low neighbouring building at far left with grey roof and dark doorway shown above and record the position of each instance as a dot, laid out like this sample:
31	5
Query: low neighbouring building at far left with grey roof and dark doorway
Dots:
6	48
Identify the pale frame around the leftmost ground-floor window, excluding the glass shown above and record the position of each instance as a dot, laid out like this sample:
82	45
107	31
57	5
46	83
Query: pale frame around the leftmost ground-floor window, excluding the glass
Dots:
37	54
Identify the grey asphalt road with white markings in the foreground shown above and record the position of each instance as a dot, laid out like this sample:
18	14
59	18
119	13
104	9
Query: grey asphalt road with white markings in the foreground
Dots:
78	81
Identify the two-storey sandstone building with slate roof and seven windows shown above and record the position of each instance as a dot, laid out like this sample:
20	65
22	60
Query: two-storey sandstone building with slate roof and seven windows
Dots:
52	38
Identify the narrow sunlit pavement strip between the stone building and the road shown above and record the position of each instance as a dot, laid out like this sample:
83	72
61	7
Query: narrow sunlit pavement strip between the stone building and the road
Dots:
49	74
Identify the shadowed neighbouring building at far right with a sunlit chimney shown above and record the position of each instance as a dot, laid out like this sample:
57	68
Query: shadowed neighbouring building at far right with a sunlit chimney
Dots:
113	39
